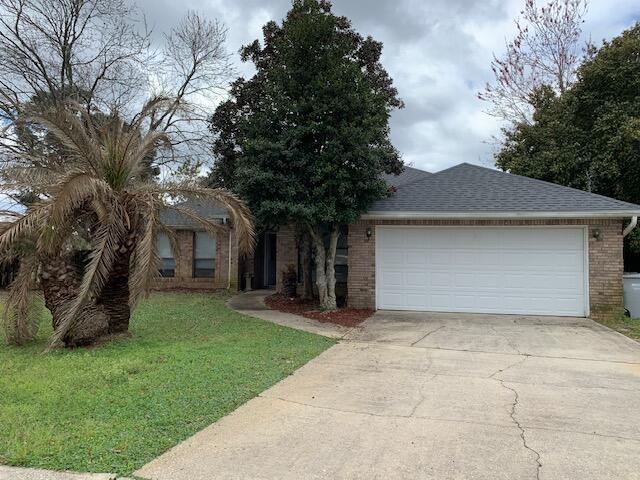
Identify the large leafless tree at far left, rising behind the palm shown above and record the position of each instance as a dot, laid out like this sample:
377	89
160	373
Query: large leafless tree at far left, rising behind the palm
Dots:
89	50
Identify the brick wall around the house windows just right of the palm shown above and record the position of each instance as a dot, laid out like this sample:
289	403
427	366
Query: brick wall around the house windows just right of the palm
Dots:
184	264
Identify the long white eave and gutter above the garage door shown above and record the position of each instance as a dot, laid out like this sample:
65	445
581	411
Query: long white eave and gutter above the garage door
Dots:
400	215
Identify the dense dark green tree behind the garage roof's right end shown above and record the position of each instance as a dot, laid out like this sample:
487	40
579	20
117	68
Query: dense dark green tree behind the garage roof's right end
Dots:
588	137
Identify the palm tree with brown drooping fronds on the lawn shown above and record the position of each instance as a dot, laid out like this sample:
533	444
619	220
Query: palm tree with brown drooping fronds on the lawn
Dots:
89	241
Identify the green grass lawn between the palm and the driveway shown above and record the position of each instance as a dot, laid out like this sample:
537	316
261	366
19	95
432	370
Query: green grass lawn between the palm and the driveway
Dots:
190	360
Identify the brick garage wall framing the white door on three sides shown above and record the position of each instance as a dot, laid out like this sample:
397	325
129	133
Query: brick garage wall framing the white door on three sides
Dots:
605	259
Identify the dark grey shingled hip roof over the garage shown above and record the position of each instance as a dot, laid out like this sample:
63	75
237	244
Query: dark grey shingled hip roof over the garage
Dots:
477	191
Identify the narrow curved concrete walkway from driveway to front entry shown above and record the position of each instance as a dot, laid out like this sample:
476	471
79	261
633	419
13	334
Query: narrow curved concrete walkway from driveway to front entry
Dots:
252	304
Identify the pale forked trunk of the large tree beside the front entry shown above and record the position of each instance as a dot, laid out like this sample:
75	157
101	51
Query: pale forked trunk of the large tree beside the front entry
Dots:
325	267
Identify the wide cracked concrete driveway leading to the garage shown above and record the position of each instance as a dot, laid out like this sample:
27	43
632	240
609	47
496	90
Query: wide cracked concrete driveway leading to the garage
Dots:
442	396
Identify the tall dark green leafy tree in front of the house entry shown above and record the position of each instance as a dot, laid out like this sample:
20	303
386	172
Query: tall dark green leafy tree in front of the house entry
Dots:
305	140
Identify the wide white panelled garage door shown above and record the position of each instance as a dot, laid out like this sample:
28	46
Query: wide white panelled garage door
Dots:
536	271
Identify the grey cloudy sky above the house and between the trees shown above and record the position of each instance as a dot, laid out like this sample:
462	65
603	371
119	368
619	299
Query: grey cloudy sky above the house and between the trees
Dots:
437	51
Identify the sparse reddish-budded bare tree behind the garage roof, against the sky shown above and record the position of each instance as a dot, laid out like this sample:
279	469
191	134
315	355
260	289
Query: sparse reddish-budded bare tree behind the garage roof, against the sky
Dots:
545	51
